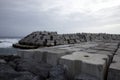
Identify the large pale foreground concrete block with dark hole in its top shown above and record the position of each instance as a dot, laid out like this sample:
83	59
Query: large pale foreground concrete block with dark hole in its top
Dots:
85	63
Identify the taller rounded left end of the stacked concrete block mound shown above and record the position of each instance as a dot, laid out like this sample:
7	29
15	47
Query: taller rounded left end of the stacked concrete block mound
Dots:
38	38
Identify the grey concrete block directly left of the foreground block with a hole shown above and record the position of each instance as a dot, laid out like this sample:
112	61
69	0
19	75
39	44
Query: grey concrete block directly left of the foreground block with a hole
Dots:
47	55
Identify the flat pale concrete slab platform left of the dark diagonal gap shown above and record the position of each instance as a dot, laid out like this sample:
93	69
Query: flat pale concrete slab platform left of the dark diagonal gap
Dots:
87	60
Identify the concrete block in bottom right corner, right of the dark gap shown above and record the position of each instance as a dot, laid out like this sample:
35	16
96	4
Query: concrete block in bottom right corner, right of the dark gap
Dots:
114	69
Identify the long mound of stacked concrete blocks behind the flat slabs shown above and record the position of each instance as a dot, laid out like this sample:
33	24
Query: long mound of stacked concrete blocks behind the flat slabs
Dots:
60	39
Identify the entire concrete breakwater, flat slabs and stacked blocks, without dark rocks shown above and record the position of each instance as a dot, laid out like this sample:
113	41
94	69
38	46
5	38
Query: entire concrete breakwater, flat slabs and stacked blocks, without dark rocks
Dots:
84	56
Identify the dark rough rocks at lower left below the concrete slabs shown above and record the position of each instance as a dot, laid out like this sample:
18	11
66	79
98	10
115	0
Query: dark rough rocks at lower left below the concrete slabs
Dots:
15	68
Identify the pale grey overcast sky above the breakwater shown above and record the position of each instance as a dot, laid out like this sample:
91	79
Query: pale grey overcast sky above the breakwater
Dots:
21	17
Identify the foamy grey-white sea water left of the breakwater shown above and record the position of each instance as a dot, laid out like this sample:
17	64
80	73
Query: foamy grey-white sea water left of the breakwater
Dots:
6	46
